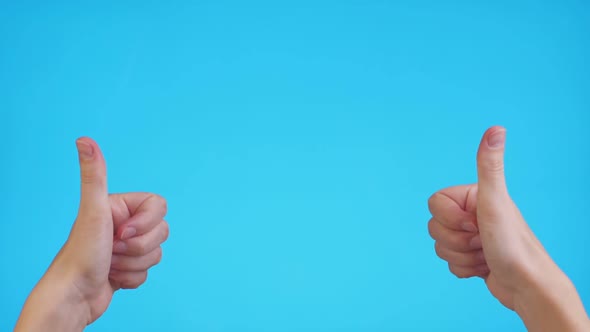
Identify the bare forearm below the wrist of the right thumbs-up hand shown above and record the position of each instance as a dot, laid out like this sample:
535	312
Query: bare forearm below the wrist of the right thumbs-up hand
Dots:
551	303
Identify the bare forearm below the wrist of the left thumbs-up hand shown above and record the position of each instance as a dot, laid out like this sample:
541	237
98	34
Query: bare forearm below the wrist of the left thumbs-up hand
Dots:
53	306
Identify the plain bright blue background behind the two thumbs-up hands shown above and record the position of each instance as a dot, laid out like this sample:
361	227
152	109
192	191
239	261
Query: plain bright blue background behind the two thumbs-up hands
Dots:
297	143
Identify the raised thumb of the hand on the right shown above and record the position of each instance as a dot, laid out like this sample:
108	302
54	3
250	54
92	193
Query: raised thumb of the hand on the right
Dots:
490	166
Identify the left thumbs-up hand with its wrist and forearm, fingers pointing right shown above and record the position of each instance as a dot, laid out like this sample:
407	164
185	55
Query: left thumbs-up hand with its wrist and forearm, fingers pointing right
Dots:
114	241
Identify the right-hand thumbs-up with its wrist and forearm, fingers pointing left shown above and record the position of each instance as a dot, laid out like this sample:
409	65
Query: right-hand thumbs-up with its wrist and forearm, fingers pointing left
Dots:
480	232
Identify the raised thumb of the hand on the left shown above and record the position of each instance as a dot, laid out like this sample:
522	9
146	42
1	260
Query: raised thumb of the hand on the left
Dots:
94	193
